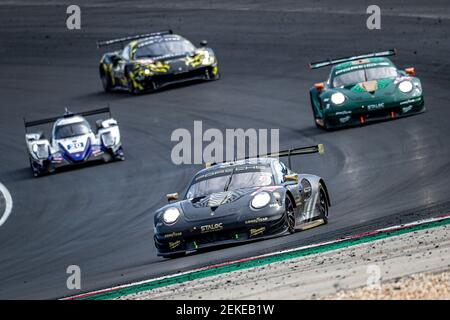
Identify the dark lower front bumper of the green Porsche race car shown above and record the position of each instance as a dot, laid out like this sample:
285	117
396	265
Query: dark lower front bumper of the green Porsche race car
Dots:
361	115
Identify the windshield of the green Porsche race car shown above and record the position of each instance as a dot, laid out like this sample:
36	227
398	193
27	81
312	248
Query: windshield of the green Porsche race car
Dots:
363	75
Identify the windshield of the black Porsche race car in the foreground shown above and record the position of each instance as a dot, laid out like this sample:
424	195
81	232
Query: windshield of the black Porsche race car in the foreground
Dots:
229	180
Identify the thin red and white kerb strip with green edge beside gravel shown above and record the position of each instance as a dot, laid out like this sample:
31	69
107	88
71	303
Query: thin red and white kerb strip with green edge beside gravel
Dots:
383	230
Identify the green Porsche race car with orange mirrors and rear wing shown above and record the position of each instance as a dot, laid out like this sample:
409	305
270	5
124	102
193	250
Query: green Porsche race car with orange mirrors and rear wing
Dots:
364	88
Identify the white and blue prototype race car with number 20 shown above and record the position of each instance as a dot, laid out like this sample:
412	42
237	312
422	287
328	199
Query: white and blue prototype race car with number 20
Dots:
73	141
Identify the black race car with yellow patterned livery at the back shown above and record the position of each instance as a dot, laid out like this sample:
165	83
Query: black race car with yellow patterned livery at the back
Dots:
150	61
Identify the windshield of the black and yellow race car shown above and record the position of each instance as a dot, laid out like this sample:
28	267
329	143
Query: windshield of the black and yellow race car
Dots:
171	47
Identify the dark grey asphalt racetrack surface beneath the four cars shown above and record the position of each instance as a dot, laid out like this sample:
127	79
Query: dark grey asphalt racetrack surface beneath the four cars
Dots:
100	217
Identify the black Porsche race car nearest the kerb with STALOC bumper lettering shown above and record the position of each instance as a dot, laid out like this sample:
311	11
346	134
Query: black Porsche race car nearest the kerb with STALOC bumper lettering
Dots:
241	201
